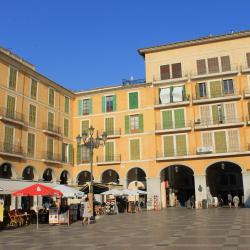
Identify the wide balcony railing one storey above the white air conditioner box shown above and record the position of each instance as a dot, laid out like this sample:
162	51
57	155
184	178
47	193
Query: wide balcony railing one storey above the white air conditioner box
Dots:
219	121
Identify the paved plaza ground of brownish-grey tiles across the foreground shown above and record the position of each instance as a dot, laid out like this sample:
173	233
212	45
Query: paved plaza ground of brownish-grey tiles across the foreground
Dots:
222	228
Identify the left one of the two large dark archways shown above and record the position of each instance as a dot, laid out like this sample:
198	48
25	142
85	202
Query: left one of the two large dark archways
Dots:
177	185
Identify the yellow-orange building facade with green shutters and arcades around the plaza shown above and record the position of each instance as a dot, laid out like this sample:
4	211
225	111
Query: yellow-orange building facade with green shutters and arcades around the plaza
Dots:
184	131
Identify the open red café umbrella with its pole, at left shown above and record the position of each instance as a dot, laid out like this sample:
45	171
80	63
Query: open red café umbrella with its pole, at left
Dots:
35	190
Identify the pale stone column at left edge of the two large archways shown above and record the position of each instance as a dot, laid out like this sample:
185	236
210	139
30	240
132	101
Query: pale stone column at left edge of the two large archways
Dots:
153	189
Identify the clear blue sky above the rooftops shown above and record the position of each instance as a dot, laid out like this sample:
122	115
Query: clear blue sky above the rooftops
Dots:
85	44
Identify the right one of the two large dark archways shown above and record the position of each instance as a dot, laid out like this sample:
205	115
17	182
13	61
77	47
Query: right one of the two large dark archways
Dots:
223	178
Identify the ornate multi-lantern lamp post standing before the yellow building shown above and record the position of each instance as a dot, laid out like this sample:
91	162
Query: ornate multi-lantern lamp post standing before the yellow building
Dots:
91	143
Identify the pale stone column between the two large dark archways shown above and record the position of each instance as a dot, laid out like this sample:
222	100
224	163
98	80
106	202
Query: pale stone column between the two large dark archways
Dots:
200	189
